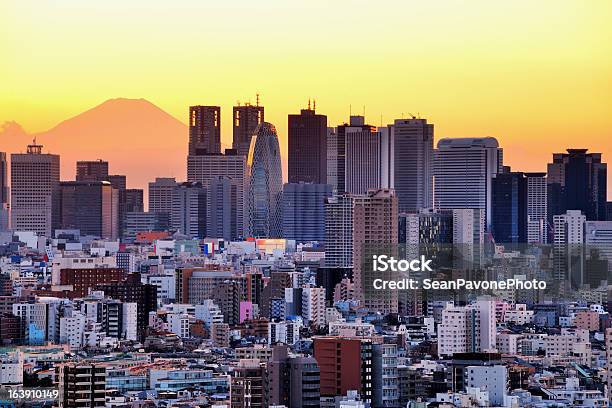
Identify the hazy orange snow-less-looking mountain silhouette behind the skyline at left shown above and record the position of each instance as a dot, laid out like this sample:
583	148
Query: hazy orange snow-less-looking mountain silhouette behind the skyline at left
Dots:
136	137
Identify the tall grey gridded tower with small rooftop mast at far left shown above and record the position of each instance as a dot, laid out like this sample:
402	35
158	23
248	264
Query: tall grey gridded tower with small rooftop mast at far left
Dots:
35	191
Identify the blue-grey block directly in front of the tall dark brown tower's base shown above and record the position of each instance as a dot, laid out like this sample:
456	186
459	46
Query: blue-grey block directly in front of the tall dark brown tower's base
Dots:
304	211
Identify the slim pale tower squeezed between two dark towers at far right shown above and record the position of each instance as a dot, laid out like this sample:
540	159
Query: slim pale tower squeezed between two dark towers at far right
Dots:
537	208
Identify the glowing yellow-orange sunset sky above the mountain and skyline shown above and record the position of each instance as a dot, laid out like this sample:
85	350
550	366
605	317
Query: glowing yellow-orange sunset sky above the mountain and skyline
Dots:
537	75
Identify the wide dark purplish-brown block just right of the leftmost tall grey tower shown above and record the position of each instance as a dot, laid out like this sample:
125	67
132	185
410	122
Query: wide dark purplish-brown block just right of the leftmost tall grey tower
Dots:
91	207
